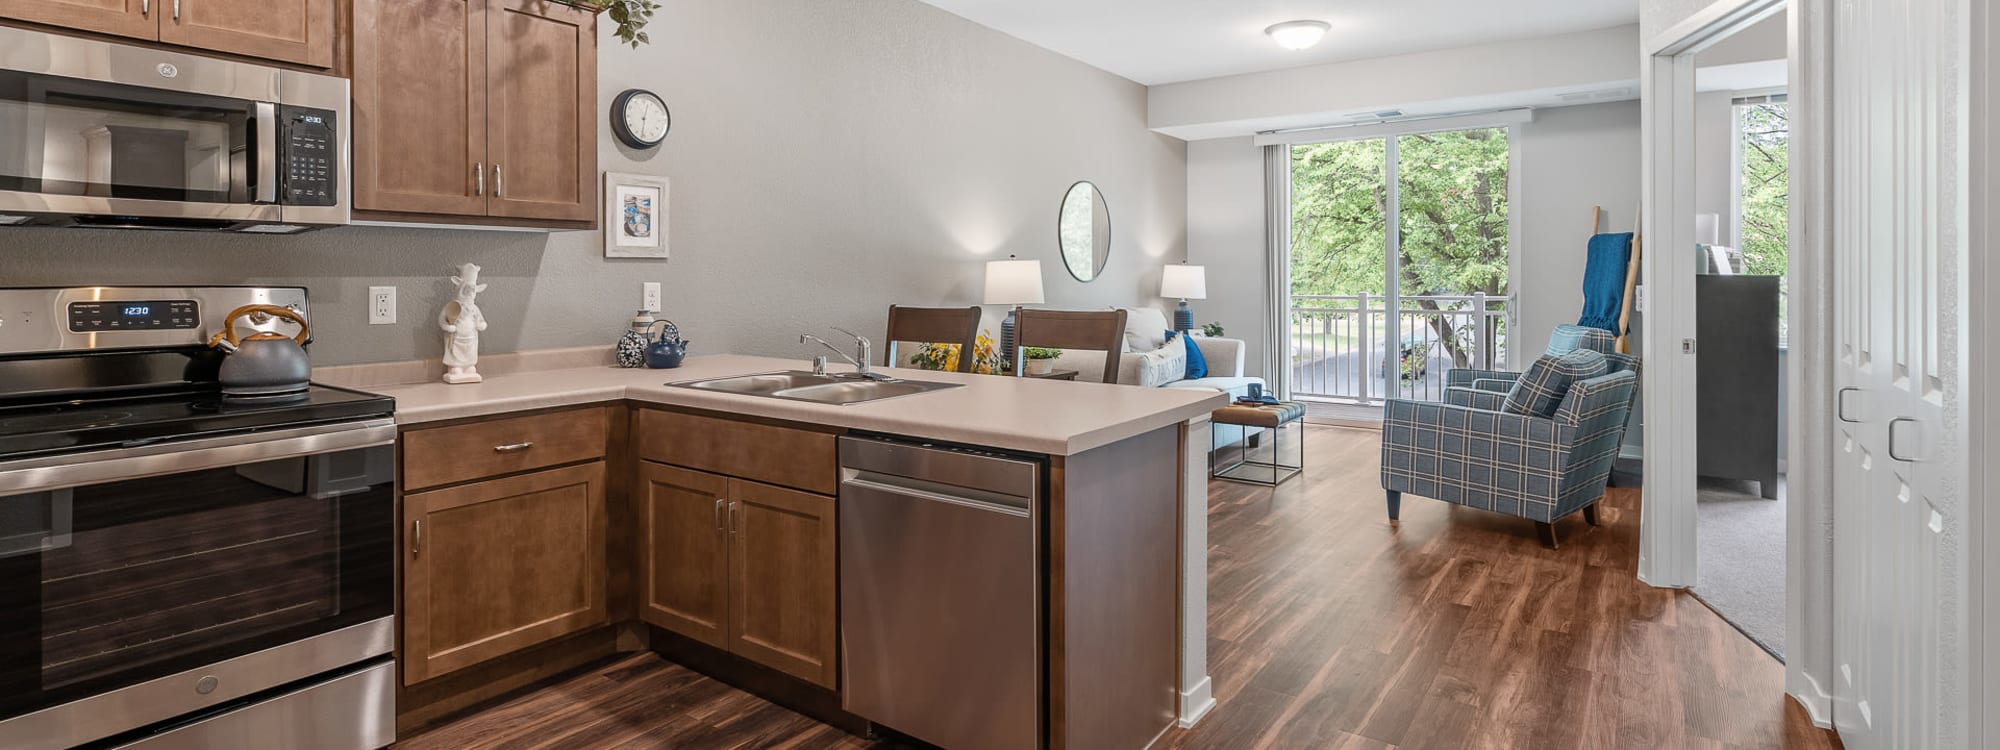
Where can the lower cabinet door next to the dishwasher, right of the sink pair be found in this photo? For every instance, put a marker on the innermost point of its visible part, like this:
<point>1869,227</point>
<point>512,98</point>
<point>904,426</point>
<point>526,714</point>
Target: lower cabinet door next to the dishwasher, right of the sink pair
<point>783,581</point>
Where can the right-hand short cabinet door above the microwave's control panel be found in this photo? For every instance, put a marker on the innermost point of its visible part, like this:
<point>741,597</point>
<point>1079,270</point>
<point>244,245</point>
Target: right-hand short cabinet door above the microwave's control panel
<point>291,31</point>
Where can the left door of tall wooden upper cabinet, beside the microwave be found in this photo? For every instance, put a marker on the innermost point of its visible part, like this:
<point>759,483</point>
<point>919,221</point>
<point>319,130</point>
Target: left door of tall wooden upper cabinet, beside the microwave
<point>421,107</point>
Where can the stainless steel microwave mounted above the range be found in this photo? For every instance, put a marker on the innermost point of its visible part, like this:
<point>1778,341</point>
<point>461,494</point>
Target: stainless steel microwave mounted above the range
<point>113,135</point>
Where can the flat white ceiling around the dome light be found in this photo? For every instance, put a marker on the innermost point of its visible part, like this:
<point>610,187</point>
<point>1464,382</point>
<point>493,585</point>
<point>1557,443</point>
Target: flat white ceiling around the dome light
<point>1173,41</point>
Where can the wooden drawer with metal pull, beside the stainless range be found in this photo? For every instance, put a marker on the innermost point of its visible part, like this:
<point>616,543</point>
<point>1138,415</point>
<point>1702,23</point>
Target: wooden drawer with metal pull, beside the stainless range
<point>499,447</point>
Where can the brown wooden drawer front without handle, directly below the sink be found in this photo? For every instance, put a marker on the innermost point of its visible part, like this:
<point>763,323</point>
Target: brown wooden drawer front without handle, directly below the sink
<point>763,453</point>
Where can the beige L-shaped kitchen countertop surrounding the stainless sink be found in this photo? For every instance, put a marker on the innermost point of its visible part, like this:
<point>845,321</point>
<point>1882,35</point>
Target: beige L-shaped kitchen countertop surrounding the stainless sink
<point>1047,417</point>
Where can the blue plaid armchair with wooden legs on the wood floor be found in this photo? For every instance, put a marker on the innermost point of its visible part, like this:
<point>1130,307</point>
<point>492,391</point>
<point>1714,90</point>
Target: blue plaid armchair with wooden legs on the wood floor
<point>1471,453</point>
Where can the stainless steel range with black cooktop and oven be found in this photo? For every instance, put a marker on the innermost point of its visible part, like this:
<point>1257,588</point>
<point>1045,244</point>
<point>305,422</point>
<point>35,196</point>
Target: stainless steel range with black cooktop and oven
<point>179,569</point>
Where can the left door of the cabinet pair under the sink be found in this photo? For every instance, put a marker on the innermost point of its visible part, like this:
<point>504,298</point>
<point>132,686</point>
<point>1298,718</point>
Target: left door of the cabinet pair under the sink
<point>685,525</point>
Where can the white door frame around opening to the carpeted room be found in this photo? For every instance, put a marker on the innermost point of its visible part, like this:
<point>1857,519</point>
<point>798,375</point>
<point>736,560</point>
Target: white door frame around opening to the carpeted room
<point>1669,511</point>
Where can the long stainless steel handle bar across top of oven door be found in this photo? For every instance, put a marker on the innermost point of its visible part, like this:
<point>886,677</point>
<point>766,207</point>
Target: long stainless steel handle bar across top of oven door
<point>159,459</point>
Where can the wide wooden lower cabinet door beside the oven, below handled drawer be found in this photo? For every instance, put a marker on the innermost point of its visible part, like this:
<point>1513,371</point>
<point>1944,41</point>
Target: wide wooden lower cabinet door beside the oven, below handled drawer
<point>499,567</point>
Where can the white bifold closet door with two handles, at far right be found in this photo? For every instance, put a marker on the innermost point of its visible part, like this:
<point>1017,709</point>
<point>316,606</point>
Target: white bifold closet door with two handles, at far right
<point>1899,207</point>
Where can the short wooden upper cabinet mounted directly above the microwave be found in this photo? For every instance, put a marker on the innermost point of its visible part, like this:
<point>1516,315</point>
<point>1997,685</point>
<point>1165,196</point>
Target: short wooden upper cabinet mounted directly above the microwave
<point>289,31</point>
